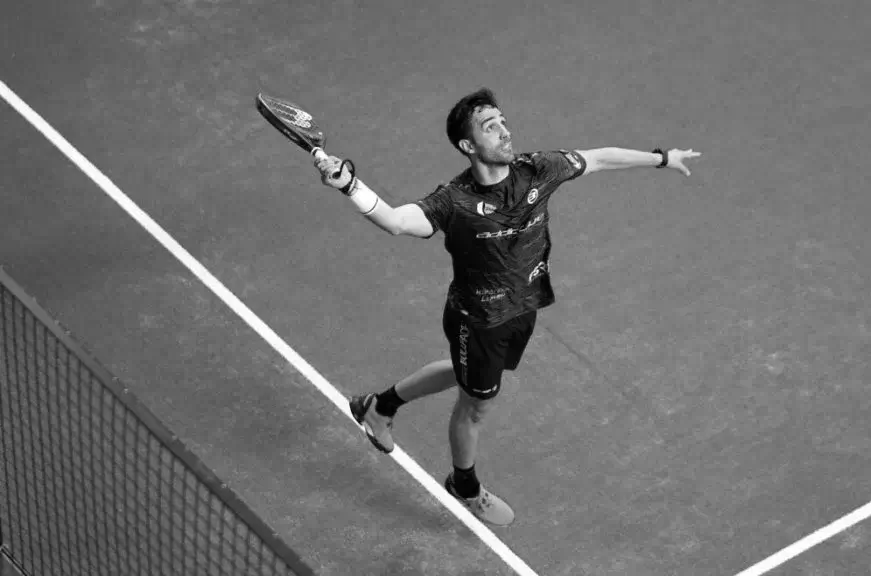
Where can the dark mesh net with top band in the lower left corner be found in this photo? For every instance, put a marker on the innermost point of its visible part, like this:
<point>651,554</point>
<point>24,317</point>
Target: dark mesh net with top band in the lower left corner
<point>92,483</point>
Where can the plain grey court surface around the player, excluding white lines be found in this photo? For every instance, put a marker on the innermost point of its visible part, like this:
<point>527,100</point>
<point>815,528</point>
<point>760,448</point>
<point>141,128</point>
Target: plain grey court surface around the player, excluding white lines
<point>695,402</point>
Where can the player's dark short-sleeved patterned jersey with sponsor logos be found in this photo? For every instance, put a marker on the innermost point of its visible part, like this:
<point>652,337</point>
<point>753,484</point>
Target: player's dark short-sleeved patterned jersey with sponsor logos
<point>498,235</point>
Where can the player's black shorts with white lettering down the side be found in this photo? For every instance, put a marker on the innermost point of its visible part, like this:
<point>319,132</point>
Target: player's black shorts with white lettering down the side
<point>479,355</point>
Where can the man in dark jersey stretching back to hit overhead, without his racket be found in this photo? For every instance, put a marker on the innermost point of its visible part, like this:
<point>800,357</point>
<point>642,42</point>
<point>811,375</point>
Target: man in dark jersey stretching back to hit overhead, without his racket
<point>495,221</point>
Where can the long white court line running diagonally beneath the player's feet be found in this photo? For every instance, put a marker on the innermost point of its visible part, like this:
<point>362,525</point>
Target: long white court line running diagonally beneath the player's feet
<point>258,325</point>
